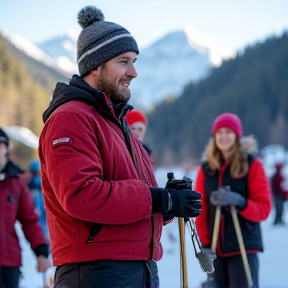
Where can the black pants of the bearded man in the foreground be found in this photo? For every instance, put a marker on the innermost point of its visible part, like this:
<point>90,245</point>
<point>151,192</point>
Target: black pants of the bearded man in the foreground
<point>107,274</point>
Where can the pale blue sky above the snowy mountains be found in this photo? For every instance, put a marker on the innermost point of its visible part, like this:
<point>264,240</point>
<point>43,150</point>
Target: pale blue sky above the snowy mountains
<point>235,23</point>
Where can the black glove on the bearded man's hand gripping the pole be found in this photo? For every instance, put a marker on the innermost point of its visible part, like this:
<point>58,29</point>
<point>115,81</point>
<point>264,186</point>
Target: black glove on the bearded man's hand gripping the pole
<point>179,203</point>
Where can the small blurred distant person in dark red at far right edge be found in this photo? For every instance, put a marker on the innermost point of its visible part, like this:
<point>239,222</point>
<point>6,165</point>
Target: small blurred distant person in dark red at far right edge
<point>279,193</point>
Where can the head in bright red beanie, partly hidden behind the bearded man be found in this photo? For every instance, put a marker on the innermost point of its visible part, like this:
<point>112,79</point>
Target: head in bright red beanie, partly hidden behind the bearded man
<point>137,123</point>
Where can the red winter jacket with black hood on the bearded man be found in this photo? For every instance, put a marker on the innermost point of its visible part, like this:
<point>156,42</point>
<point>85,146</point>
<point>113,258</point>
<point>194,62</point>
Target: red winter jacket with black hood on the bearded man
<point>92,174</point>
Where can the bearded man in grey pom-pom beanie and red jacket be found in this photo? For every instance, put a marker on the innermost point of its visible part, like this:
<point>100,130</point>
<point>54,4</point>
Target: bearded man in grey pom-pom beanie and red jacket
<point>105,213</point>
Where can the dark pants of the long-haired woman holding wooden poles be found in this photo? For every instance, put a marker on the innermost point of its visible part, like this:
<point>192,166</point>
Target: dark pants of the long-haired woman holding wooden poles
<point>230,273</point>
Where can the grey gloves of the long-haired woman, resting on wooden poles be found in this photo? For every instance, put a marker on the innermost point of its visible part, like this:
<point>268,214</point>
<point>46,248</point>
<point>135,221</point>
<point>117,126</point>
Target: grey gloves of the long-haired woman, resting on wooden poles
<point>224,197</point>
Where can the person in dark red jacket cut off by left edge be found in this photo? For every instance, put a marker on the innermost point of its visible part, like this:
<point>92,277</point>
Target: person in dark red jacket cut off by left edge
<point>16,203</point>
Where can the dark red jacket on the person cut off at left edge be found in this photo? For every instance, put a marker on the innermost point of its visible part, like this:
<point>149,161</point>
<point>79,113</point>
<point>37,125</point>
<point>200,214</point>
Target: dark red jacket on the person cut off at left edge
<point>16,203</point>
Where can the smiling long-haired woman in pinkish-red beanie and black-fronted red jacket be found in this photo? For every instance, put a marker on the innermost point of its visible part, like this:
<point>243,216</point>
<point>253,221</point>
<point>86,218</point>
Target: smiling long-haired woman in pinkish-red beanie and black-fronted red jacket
<point>231,175</point>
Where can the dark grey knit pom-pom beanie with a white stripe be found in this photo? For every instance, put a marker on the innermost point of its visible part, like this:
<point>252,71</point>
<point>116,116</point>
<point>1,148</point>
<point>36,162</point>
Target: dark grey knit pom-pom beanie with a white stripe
<point>100,41</point>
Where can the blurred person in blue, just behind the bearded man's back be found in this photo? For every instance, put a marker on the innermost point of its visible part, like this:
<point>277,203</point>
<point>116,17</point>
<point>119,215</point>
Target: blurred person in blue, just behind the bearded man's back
<point>35,187</point>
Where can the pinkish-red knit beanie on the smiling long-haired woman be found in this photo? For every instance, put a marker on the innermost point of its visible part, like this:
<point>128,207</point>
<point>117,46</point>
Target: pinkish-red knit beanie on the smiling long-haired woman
<point>228,120</point>
